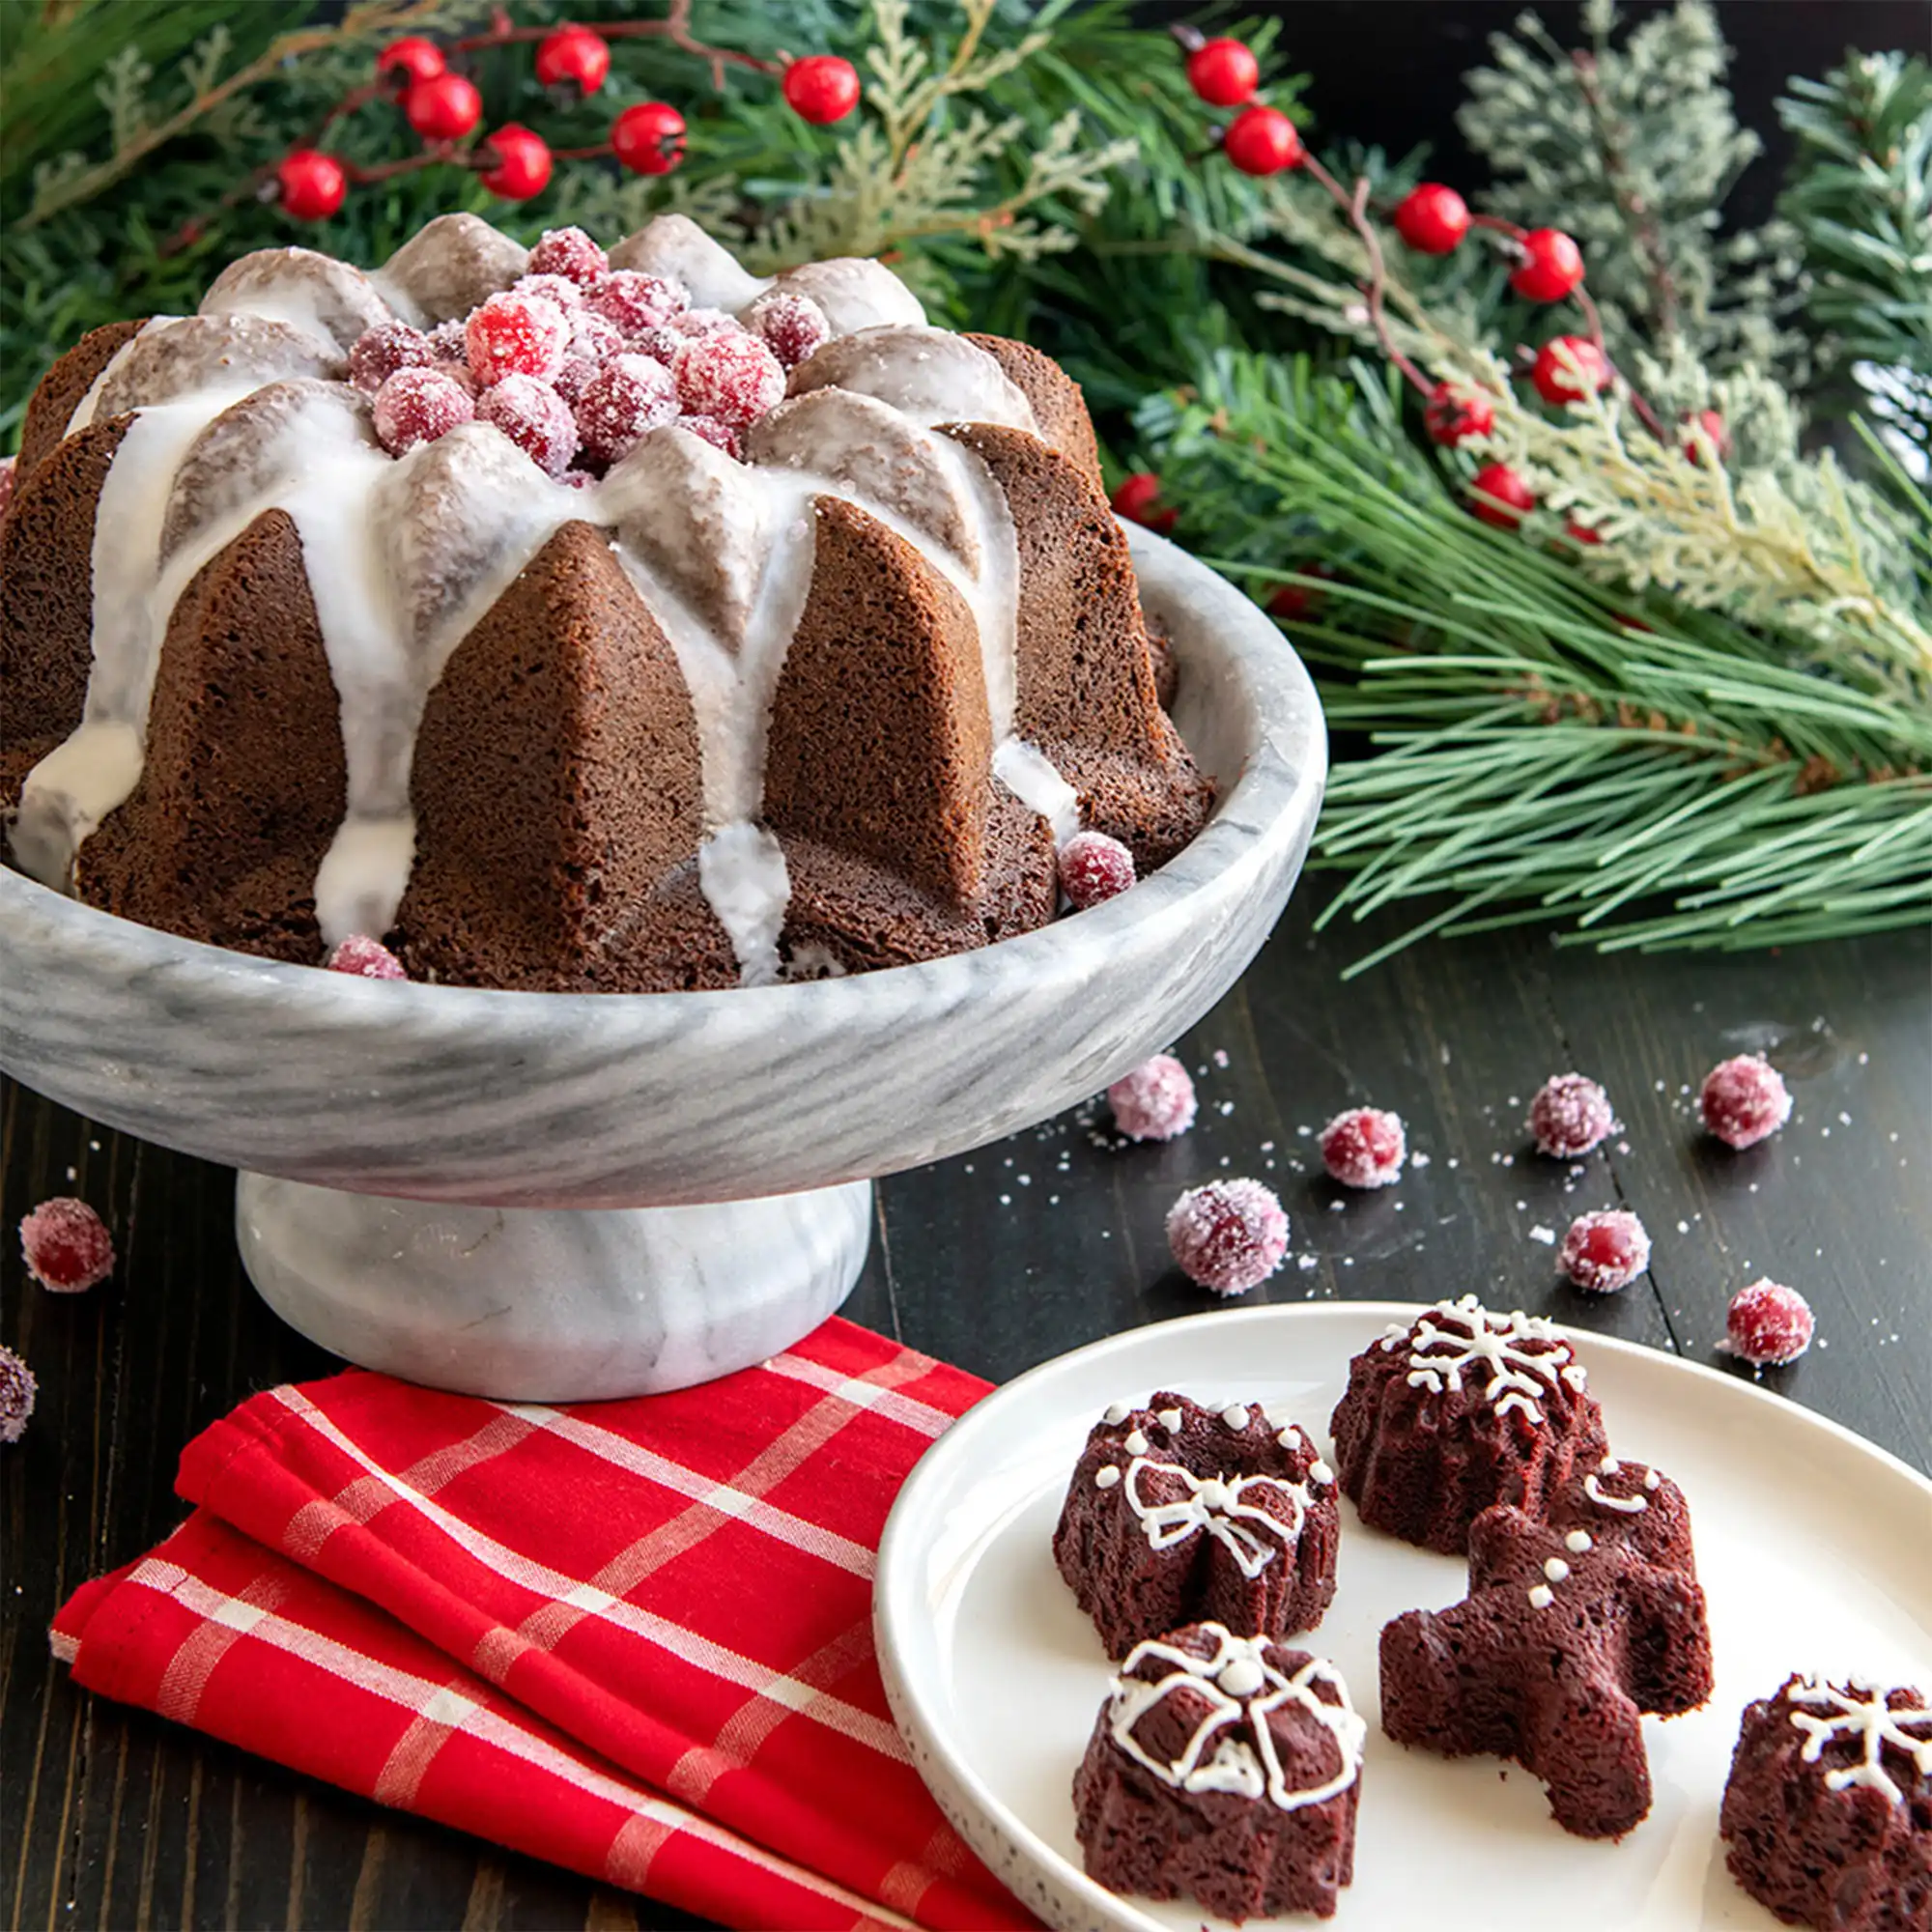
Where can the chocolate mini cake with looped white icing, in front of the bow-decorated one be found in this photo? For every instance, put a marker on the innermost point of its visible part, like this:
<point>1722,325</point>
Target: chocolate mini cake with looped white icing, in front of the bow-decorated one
<point>1224,1771</point>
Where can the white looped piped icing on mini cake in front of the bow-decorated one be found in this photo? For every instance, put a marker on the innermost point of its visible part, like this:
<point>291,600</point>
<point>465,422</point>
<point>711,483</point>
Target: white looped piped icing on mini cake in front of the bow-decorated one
<point>1241,1690</point>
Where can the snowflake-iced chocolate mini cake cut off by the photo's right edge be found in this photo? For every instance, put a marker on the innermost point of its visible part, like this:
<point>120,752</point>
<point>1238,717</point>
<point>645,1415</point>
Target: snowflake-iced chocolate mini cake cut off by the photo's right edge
<point>1829,1809</point>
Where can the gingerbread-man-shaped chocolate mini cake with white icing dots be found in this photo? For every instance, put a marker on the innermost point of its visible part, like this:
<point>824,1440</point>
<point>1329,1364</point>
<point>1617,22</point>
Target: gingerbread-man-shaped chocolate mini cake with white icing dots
<point>1572,1630</point>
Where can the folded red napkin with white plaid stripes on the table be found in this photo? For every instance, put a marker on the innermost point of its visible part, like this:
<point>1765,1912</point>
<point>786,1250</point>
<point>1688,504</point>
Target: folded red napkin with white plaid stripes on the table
<point>627,1637</point>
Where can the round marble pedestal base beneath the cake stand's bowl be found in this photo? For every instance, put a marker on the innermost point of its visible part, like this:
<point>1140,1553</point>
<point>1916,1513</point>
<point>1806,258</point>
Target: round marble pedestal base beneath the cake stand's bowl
<point>538,1305</point>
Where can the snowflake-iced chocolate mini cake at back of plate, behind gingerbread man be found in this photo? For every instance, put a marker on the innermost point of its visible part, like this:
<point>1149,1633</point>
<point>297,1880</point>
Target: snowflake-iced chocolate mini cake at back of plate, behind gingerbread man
<point>1460,1411</point>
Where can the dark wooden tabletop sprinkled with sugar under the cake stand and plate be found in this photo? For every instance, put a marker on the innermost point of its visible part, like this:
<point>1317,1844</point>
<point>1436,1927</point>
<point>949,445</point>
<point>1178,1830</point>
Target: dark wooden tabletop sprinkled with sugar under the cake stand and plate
<point>996,1261</point>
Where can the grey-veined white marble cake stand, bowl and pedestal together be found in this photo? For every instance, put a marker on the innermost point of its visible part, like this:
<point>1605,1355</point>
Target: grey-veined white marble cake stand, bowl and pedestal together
<point>546,1197</point>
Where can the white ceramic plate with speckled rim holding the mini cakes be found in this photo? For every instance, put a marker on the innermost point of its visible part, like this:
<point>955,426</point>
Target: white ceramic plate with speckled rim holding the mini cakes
<point>1813,1547</point>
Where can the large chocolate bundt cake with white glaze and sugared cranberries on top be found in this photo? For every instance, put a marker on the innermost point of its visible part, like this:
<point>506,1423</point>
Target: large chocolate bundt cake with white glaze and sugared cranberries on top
<point>571,621</point>
